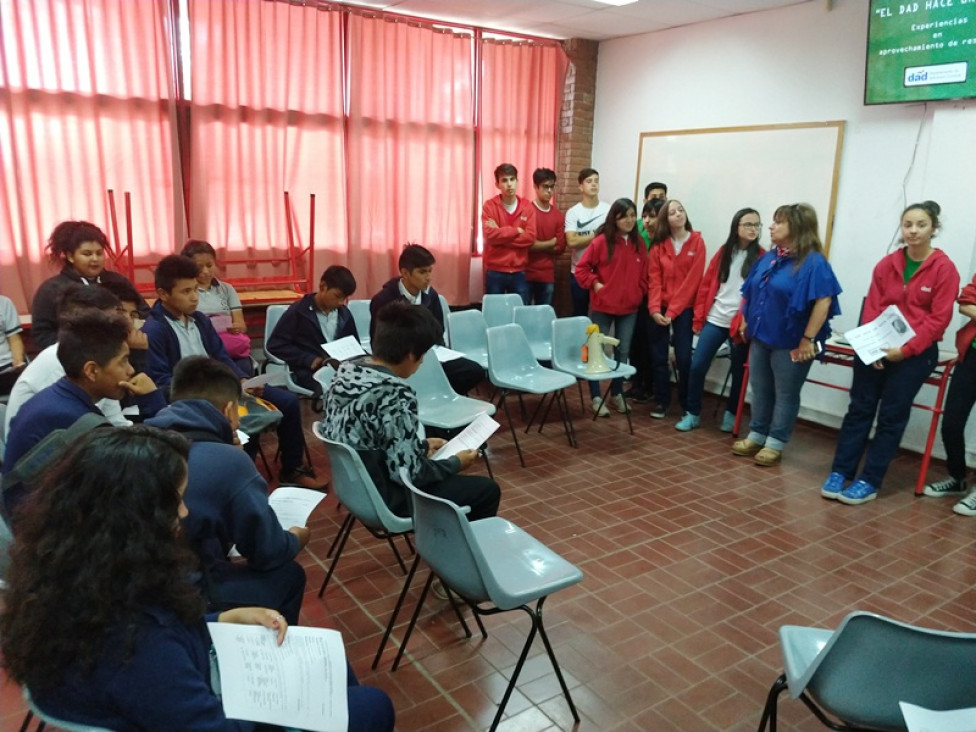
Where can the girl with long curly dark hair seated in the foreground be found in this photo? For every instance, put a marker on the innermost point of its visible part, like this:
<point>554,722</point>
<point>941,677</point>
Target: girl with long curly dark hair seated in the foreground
<point>100,621</point>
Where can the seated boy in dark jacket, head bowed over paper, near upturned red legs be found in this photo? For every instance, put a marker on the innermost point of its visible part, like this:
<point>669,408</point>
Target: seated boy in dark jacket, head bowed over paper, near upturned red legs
<point>319,317</point>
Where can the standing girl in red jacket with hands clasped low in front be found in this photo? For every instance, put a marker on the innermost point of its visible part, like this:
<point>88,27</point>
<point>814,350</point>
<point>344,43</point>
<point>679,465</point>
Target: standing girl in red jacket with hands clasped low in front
<point>674,273</point>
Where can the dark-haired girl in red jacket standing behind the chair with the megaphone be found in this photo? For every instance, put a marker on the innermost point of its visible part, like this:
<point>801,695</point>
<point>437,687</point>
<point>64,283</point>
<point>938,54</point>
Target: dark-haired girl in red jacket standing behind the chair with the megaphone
<point>614,269</point>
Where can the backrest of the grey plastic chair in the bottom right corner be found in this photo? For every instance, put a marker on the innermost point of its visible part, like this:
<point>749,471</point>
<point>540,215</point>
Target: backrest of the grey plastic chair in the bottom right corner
<point>871,663</point>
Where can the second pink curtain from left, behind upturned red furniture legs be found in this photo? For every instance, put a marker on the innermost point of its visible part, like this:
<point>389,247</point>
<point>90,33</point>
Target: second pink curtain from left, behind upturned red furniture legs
<point>266,117</point>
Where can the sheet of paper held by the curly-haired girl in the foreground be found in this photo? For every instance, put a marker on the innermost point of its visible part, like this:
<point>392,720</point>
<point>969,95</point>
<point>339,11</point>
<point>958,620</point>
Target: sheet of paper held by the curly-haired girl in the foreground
<point>300,684</point>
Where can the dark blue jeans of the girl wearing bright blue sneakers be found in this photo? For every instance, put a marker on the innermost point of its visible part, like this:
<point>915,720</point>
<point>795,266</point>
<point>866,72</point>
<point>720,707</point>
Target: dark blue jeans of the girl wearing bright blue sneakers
<point>889,393</point>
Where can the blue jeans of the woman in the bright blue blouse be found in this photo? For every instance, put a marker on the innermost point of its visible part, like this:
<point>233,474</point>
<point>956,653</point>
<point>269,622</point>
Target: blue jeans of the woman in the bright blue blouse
<point>776,383</point>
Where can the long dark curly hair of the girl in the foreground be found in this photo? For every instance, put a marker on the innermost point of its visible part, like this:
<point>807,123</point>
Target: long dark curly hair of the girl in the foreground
<point>97,544</point>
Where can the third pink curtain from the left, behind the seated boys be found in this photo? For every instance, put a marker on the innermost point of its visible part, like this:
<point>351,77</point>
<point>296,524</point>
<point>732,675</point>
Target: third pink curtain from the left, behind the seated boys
<point>410,150</point>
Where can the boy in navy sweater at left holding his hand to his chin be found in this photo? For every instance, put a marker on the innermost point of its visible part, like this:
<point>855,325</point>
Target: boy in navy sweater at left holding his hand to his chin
<point>92,349</point>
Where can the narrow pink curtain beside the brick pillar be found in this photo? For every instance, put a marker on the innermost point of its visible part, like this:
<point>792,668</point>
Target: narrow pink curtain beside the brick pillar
<point>521,96</point>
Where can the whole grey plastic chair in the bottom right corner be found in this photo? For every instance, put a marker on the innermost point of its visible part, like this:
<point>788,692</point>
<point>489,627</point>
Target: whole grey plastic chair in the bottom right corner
<point>861,671</point>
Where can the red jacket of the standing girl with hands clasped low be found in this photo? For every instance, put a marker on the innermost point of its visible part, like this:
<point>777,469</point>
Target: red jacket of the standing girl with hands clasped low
<point>673,279</point>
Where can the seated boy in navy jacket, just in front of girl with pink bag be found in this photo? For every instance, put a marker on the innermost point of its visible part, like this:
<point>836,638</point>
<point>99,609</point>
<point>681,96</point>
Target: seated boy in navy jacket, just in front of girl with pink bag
<point>176,330</point>
